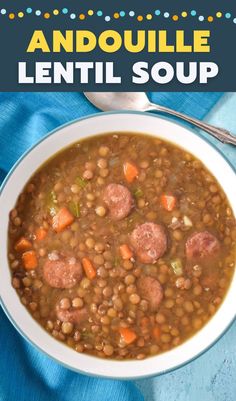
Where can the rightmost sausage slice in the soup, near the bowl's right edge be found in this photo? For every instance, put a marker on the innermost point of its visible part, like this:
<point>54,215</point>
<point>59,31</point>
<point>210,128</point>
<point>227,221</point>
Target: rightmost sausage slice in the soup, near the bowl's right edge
<point>201,245</point>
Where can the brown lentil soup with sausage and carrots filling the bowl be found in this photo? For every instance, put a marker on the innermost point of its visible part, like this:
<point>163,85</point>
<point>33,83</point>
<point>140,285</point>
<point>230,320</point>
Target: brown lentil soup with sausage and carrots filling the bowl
<point>122,246</point>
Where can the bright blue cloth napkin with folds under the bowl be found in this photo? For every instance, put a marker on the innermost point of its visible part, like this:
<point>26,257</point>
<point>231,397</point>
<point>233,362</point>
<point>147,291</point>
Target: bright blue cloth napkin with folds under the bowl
<point>25,373</point>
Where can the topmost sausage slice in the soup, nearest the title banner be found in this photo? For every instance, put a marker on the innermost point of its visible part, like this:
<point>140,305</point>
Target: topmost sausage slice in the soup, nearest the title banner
<point>118,200</point>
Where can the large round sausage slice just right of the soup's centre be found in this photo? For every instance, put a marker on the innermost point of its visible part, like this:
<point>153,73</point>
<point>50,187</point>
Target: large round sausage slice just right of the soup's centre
<point>149,241</point>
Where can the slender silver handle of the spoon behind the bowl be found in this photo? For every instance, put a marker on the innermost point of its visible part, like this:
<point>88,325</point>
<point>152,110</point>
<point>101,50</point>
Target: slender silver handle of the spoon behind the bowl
<point>220,133</point>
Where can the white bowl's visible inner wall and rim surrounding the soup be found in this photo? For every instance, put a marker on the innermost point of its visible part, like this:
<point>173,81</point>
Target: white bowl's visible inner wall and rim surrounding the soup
<point>13,185</point>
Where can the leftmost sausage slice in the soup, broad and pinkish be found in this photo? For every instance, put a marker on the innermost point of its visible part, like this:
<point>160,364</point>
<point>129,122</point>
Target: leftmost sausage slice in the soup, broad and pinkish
<point>62,273</point>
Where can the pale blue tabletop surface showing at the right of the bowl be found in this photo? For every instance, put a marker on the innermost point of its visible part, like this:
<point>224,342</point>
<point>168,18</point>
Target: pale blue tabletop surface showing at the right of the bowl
<point>211,377</point>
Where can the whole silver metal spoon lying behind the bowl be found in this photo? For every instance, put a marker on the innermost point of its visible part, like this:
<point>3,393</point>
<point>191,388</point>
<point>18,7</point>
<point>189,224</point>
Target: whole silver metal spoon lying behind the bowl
<point>107,101</point>
